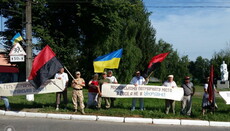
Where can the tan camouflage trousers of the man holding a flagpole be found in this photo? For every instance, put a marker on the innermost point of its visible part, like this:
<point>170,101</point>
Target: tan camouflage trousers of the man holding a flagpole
<point>77,96</point>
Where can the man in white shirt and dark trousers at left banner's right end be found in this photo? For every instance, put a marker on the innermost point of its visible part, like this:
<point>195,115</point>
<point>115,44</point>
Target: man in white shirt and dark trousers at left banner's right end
<point>64,77</point>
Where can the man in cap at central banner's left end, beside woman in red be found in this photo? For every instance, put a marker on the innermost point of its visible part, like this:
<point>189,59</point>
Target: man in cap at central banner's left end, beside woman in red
<point>102,81</point>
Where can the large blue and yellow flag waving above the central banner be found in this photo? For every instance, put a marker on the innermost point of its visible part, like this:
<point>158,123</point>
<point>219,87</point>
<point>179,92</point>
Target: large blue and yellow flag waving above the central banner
<point>110,61</point>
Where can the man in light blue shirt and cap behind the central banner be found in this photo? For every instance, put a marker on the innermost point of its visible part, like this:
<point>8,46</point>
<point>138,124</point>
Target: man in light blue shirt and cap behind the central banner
<point>138,80</point>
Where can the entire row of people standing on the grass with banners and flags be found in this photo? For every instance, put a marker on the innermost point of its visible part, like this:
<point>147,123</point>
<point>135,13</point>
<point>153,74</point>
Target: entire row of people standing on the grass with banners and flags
<point>95,93</point>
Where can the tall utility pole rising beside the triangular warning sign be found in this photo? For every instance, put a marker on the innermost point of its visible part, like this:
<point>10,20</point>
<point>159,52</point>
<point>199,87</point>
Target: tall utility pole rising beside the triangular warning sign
<point>28,37</point>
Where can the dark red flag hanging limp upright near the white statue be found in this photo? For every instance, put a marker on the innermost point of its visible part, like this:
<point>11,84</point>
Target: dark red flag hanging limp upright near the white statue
<point>210,85</point>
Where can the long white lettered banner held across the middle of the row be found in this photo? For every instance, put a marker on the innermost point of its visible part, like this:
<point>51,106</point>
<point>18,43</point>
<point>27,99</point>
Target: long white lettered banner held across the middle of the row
<point>141,91</point>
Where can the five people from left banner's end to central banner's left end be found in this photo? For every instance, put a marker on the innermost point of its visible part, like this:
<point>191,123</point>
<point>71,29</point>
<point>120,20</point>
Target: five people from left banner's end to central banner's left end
<point>94,90</point>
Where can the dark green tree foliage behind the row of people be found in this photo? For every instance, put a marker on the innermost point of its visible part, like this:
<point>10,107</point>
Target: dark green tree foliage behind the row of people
<point>80,31</point>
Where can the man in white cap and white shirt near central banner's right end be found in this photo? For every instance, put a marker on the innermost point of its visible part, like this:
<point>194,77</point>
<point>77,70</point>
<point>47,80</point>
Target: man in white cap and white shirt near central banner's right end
<point>170,103</point>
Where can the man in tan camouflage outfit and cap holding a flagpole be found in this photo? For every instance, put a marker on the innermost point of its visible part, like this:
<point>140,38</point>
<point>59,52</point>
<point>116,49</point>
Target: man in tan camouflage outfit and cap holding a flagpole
<point>78,83</point>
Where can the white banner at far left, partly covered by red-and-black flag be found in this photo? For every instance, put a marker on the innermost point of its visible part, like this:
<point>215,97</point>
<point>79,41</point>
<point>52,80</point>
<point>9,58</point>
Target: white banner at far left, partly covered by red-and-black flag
<point>24,88</point>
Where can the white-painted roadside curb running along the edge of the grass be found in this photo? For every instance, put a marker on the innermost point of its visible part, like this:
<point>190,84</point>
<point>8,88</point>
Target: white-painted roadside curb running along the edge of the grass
<point>116,119</point>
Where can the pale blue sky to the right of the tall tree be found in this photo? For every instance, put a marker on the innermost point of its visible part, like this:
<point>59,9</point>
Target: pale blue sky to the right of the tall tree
<point>194,27</point>
